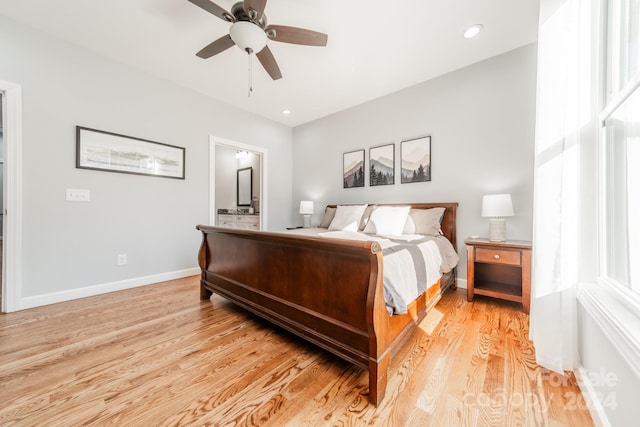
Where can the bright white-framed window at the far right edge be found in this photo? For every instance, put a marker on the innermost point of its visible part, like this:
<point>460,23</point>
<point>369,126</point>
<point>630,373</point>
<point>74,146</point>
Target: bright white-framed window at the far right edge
<point>620,167</point>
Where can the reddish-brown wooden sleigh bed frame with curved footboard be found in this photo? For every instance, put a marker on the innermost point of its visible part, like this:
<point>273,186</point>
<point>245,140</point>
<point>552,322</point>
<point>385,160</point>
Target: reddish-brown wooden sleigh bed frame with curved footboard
<point>327,291</point>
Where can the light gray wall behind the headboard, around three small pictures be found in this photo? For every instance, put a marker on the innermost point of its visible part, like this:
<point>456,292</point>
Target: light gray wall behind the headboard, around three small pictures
<point>481,120</point>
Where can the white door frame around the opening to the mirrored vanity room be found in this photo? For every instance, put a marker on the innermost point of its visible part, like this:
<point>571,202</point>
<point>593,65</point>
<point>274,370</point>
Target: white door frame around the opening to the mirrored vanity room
<point>223,142</point>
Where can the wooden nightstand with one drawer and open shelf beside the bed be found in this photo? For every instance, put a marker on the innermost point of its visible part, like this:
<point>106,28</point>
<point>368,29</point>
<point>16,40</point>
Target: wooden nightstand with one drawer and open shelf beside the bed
<point>499,270</point>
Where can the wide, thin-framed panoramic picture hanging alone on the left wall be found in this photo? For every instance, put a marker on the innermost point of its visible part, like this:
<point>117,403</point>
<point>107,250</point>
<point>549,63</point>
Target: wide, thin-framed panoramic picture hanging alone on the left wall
<point>107,151</point>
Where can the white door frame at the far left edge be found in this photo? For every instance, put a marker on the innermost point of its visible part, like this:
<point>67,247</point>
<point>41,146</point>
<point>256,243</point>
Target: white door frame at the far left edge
<point>12,194</point>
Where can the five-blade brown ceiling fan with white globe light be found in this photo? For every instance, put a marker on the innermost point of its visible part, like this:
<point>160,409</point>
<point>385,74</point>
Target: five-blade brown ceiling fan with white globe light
<point>249,31</point>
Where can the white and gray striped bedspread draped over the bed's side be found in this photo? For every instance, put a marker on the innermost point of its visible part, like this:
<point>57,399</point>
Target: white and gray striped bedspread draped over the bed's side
<point>411,262</point>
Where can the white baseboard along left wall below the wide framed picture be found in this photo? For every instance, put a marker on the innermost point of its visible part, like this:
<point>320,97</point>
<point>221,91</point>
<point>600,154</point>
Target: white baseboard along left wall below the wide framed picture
<point>89,291</point>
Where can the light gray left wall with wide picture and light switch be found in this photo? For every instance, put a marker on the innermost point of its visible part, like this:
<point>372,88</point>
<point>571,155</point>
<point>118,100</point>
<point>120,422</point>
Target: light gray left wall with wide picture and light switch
<point>68,245</point>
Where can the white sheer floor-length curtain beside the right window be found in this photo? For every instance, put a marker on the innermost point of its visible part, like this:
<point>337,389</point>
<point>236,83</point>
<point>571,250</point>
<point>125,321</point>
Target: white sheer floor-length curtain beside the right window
<point>564,111</point>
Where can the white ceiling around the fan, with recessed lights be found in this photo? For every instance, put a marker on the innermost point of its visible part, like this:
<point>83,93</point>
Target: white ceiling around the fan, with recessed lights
<point>374,48</point>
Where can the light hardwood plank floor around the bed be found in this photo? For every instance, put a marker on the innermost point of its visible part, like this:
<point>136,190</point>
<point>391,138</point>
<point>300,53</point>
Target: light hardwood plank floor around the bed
<point>156,355</point>
